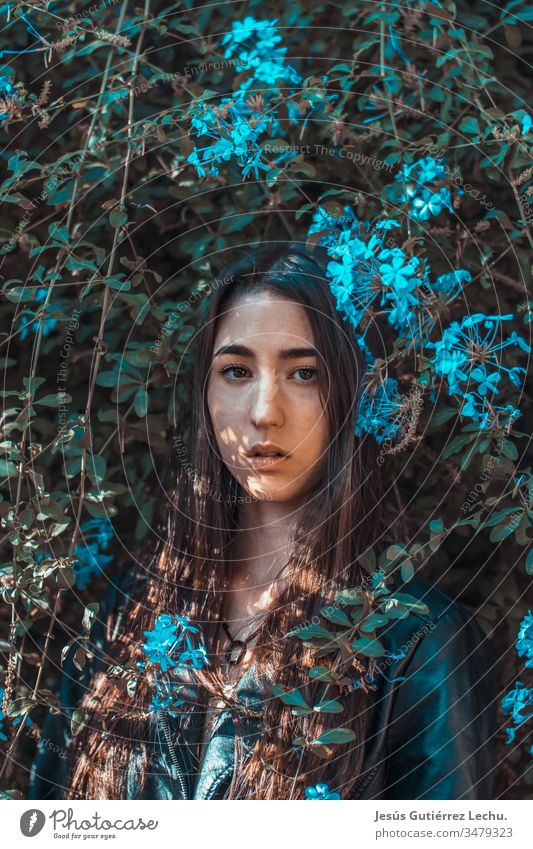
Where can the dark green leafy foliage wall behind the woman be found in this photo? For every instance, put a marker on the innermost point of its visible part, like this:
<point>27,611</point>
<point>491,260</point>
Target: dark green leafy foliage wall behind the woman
<point>109,237</point>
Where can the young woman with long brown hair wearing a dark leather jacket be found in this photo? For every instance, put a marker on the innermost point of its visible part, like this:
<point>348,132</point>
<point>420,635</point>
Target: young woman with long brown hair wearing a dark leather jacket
<point>267,505</point>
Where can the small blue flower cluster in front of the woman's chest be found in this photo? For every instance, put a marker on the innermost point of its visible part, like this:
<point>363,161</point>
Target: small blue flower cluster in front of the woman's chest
<point>169,646</point>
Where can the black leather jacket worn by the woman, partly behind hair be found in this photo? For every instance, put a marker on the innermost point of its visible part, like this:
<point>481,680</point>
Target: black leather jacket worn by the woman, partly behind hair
<point>432,721</point>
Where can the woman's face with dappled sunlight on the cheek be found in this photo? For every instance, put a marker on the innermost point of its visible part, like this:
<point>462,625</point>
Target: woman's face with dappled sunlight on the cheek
<point>263,388</point>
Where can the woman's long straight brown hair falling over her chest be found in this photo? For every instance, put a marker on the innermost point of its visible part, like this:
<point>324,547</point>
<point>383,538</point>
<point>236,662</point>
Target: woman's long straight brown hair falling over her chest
<point>188,573</point>
